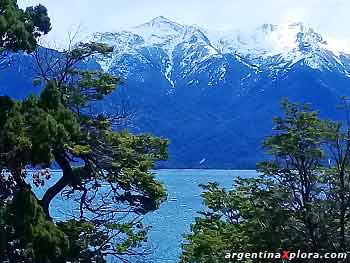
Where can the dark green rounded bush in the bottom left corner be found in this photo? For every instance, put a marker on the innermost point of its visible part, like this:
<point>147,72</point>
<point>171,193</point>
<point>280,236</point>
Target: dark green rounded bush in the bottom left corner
<point>29,235</point>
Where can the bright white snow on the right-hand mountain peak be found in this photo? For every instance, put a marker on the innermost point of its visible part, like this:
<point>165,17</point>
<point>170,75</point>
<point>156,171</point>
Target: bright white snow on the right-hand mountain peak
<point>287,43</point>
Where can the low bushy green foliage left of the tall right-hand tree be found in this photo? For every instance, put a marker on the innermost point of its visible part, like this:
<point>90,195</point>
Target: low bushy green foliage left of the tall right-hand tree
<point>249,218</point>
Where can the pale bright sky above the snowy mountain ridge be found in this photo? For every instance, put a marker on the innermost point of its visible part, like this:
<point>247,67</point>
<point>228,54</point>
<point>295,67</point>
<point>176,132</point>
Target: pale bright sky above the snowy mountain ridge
<point>328,17</point>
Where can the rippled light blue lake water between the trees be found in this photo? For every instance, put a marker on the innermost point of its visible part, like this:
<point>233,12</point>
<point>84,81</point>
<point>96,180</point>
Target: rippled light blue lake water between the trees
<point>175,216</point>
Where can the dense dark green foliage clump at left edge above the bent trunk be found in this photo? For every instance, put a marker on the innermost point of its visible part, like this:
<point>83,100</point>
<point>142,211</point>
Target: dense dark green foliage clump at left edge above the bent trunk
<point>32,127</point>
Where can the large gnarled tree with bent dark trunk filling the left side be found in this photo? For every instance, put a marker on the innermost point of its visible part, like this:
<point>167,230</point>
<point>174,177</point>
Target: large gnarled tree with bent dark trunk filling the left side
<point>107,171</point>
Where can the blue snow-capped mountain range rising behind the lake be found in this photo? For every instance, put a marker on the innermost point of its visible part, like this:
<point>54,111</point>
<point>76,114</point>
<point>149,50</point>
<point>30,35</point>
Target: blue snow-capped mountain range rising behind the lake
<point>214,93</point>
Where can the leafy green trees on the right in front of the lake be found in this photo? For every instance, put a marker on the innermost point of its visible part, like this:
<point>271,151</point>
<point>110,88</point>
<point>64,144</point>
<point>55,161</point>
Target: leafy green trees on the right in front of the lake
<point>299,199</point>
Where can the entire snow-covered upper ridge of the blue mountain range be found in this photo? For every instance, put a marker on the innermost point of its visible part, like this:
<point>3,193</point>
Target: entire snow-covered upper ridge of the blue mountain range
<point>273,46</point>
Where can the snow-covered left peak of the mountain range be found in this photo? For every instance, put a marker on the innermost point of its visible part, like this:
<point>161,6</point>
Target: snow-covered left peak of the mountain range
<point>159,42</point>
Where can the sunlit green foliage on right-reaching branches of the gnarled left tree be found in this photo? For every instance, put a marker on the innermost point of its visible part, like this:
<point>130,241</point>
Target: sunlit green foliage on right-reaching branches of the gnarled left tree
<point>135,158</point>
